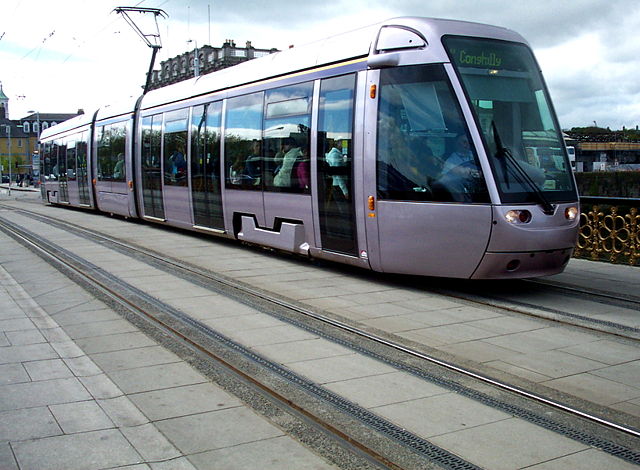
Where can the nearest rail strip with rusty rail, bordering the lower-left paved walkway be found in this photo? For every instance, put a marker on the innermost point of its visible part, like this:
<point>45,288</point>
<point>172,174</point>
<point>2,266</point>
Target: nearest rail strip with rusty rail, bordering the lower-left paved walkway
<point>181,327</point>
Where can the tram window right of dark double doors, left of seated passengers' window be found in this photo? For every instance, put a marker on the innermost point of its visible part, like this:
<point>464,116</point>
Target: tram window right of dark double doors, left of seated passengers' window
<point>242,137</point>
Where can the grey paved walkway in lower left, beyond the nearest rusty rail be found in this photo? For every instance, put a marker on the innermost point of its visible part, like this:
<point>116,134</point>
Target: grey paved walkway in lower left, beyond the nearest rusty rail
<point>60,410</point>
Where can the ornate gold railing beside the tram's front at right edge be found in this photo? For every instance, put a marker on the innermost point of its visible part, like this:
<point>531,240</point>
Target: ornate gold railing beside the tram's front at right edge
<point>609,230</point>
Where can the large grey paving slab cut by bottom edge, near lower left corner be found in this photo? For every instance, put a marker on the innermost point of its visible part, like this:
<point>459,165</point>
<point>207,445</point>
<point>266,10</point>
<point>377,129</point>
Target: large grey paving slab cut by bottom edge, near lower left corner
<point>84,451</point>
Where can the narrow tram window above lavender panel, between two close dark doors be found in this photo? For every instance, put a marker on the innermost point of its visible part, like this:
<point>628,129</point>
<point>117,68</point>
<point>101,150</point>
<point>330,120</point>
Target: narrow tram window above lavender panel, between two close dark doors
<point>175,146</point>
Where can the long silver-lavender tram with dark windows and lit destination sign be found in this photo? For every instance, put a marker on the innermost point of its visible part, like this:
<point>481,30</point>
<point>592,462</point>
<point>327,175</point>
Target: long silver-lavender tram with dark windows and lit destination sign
<point>416,146</point>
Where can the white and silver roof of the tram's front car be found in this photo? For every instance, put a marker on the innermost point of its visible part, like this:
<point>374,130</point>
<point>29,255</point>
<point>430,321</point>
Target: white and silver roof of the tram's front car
<point>334,49</point>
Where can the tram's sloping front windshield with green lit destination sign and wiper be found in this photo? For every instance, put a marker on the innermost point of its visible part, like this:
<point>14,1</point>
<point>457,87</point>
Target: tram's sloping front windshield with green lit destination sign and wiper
<point>514,112</point>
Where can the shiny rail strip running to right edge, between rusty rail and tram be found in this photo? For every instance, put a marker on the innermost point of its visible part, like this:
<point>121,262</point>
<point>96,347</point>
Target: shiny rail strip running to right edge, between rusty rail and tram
<point>205,277</point>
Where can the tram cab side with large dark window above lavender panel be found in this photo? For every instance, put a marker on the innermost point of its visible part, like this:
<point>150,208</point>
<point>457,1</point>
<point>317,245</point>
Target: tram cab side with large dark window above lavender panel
<point>419,219</point>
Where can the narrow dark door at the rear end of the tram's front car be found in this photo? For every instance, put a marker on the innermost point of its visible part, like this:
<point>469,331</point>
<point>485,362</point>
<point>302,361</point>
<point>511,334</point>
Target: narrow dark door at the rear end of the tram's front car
<point>151,166</point>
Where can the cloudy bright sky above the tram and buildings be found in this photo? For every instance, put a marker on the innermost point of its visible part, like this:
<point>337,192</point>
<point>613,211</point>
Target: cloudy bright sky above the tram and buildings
<point>59,56</point>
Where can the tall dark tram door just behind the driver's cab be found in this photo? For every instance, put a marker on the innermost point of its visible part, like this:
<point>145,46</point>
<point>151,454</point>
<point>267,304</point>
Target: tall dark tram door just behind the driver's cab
<point>335,165</point>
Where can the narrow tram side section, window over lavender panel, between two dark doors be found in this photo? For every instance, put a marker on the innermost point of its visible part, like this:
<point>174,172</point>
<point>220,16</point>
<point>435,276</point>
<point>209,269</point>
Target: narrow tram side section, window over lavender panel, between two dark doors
<point>177,204</point>
